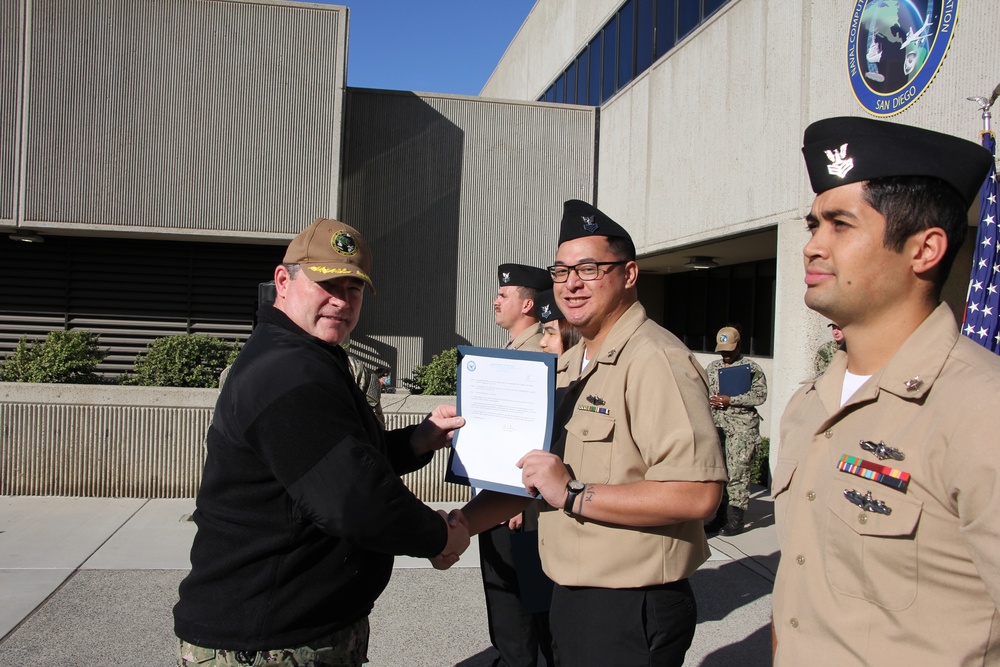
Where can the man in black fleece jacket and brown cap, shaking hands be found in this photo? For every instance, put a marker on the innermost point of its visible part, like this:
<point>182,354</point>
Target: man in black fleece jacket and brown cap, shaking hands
<point>301,508</point>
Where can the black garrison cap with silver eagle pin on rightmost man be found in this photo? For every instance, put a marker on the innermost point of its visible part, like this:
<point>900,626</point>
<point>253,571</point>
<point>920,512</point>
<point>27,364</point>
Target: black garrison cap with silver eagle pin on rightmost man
<point>850,149</point>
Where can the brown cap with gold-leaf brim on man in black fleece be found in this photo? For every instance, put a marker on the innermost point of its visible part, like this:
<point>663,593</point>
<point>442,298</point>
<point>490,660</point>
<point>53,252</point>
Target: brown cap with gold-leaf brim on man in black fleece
<point>329,249</point>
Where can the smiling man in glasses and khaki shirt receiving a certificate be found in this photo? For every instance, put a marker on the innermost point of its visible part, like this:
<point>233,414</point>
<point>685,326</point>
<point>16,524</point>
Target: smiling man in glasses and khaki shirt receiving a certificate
<point>635,466</point>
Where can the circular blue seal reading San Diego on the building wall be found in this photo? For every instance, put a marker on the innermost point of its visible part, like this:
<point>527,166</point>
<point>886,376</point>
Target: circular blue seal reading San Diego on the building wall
<point>895,48</point>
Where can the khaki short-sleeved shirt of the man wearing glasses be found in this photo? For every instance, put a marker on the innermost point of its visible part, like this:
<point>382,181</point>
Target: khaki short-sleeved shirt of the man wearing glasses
<point>655,426</point>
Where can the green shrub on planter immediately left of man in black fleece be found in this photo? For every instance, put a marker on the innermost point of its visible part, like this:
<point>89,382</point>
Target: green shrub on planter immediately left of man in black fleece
<point>188,360</point>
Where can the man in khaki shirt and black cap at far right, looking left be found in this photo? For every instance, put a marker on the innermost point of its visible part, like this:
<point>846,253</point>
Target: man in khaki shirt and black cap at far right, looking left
<point>886,492</point>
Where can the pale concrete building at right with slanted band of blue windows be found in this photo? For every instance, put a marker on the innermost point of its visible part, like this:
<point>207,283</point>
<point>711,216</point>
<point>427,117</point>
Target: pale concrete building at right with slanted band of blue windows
<point>699,144</point>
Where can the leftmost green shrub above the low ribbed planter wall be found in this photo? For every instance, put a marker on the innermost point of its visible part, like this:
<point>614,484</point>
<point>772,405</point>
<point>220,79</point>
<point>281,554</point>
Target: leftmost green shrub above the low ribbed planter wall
<point>61,357</point>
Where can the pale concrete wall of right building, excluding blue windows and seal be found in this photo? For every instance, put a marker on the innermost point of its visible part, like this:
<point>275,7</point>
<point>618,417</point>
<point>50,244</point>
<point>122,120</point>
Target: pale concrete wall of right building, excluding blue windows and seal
<point>705,144</point>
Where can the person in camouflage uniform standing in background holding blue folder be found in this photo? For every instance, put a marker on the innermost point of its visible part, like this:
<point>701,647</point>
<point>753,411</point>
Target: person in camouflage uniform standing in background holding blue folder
<point>738,422</point>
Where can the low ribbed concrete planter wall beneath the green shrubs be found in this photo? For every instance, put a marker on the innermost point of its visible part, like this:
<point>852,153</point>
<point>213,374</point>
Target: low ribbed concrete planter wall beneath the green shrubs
<point>142,442</point>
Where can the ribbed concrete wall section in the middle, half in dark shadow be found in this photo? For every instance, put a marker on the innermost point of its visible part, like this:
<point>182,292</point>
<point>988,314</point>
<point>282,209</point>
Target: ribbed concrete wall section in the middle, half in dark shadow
<point>445,188</point>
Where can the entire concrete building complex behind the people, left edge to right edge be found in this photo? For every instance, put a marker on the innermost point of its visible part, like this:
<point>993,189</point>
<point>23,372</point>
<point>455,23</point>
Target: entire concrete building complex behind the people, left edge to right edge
<point>167,151</point>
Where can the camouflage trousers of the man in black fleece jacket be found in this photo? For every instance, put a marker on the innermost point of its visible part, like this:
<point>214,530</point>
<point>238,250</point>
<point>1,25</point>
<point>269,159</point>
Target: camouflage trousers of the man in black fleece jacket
<point>348,647</point>
